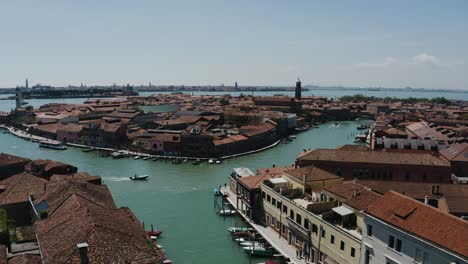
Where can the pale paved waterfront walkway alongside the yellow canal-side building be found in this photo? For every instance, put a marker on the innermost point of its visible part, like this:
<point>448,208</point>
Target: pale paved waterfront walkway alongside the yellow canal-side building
<point>281,245</point>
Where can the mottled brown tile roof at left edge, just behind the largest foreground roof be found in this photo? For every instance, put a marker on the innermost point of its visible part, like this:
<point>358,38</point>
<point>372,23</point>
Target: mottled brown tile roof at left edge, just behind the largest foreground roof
<point>19,186</point>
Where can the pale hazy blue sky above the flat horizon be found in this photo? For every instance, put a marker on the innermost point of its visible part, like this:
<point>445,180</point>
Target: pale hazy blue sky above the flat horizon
<point>373,43</point>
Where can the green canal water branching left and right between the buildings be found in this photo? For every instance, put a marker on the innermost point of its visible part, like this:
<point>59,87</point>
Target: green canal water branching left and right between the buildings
<point>178,199</point>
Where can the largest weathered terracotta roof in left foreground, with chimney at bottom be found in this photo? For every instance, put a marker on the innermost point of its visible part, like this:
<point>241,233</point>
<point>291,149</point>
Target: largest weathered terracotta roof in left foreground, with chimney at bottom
<point>113,235</point>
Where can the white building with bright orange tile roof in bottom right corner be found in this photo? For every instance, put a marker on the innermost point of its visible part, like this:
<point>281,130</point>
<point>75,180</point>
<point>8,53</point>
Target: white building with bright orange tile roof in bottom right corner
<point>398,229</point>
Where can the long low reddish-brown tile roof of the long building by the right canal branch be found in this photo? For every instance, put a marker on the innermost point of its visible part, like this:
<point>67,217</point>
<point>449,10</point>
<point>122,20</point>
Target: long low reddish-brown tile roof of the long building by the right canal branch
<point>378,157</point>
